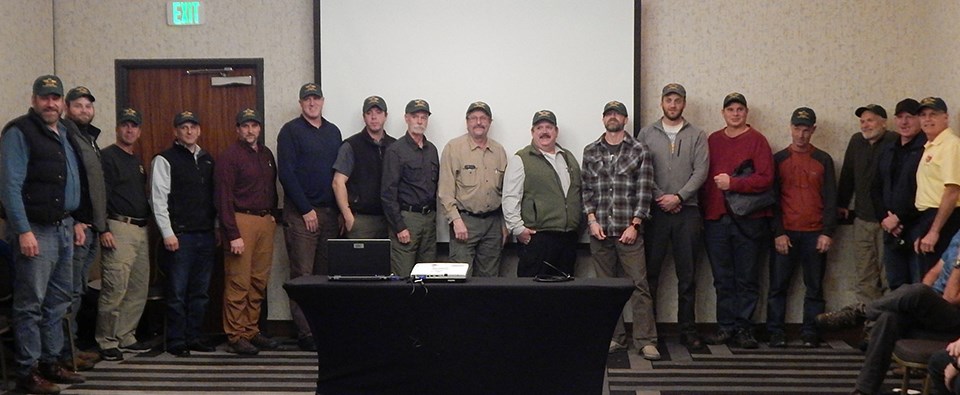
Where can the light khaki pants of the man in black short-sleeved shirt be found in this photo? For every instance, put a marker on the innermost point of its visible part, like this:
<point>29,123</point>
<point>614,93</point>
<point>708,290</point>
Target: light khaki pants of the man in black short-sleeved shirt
<point>125,273</point>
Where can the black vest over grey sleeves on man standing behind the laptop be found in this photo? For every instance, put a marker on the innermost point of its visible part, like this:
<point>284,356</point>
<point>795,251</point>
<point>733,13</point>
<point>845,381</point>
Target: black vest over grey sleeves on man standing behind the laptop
<point>363,186</point>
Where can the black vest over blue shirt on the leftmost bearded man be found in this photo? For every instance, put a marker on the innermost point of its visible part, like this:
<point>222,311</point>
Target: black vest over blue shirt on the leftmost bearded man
<point>44,187</point>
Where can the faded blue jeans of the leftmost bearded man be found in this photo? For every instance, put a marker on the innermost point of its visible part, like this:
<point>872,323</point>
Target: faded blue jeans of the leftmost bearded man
<point>42,288</point>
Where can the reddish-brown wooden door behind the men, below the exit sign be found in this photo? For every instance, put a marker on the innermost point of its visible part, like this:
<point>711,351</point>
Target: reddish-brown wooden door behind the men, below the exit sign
<point>160,89</point>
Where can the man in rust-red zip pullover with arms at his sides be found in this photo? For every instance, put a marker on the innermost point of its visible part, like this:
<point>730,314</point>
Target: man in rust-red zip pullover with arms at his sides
<point>803,225</point>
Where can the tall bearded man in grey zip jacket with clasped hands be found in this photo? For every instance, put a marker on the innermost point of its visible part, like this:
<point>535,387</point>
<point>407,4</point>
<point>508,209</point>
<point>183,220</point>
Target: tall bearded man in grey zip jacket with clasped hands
<point>680,164</point>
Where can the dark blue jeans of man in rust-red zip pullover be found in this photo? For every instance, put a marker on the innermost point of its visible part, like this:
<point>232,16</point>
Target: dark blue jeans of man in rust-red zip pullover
<point>803,252</point>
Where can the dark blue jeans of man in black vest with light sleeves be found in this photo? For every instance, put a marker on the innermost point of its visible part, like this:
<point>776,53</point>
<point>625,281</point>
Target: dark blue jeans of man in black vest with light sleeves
<point>188,279</point>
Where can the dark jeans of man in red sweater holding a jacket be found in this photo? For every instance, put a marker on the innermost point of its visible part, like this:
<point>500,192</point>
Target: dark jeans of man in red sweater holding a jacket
<point>735,260</point>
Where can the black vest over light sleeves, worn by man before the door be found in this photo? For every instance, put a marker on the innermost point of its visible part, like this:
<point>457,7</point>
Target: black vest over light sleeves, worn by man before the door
<point>190,202</point>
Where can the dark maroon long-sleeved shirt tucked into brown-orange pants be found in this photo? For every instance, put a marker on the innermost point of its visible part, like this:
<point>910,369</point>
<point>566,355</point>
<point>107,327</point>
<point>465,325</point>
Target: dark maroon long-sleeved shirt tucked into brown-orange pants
<point>245,180</point>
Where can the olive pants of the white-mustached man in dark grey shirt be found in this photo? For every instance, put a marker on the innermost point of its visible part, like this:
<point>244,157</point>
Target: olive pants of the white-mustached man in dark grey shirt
<point>422,246</point>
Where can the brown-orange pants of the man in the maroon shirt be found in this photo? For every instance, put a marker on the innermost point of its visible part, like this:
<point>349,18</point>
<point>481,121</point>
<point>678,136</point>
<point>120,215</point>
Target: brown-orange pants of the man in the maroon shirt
<point>246,276</point>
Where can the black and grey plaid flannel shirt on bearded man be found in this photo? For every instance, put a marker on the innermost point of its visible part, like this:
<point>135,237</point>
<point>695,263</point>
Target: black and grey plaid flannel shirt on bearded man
<point>617,186</point>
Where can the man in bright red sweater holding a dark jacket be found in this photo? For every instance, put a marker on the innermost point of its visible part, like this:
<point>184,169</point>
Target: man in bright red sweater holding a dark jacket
<point>733,243</point>
